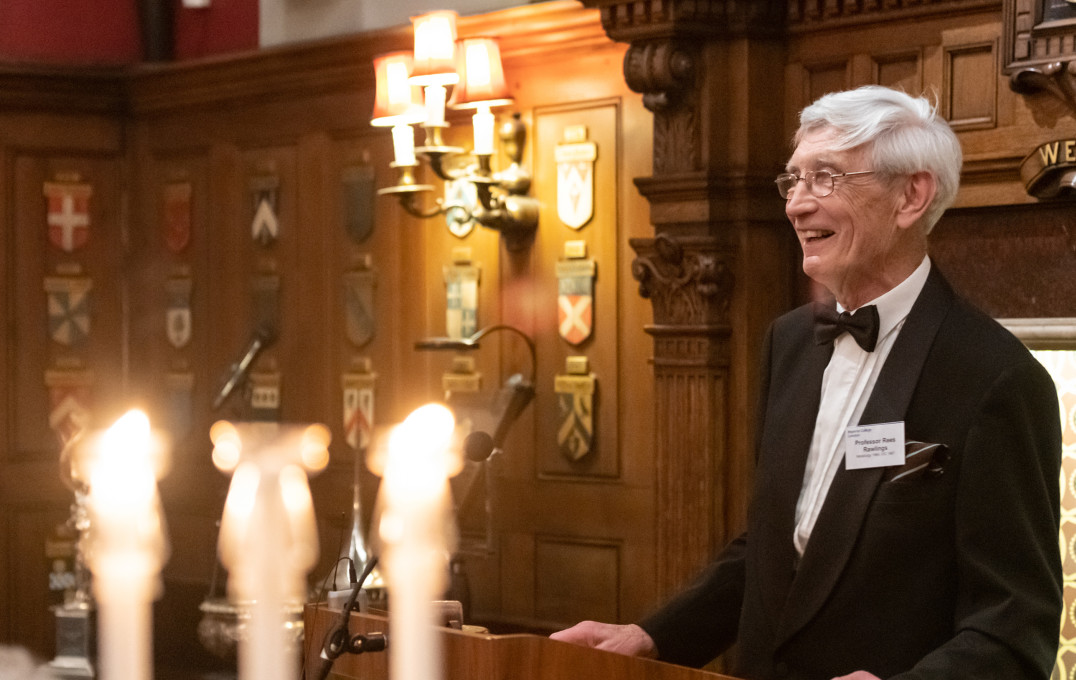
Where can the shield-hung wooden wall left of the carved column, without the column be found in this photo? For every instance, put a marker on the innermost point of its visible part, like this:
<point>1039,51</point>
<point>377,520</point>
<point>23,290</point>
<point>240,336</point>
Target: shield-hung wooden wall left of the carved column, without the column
<point>574,539</point>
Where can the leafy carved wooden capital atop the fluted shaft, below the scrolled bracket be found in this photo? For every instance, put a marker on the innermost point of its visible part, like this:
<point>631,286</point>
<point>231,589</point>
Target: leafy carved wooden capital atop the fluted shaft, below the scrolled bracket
<point>689,281</point>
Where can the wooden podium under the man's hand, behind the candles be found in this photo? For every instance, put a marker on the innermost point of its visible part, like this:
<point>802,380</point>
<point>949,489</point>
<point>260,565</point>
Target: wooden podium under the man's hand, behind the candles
<point>480,657</point>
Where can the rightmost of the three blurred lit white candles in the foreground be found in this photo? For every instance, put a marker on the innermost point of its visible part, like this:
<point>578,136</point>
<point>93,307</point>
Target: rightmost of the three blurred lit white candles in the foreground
<point>415,488</point>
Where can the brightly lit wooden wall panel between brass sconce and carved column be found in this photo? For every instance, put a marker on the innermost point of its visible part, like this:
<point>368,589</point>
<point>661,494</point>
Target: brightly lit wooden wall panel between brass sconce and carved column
<point>542,498</point>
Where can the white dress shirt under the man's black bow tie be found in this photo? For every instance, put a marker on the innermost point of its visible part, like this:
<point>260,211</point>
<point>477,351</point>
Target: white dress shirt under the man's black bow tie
<point>847,385</point>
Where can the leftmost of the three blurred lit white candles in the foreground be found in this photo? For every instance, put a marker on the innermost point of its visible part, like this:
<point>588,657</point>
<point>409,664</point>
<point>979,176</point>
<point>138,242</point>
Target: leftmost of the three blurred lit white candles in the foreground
<point>128,544</point>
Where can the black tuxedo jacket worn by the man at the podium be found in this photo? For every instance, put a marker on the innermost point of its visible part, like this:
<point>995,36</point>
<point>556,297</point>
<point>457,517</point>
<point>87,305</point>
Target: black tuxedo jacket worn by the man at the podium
<point>950,572</point>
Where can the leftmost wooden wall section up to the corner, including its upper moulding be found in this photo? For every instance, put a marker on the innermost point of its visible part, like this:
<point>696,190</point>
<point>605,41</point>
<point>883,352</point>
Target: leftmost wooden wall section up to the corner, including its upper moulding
<point>41,125</point>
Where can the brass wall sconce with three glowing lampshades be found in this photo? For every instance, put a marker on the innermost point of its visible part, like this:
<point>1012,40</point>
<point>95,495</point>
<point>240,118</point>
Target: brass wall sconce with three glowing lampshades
<point>413,89</point>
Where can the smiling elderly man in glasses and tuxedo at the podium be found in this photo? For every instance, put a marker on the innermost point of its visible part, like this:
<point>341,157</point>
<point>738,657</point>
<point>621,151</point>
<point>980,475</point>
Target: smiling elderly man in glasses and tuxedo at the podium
<point>905,509</point>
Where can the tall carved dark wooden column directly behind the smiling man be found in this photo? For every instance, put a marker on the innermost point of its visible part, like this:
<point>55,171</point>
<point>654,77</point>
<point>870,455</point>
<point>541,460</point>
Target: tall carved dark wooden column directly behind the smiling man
<point>719,266</point>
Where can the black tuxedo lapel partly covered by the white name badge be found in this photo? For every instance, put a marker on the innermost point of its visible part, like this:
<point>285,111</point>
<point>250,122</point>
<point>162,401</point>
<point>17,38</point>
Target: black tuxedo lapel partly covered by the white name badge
<point>846,505</point>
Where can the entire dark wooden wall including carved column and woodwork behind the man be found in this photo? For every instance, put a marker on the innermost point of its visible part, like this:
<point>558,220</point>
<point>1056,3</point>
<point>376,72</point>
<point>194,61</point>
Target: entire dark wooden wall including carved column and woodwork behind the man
<point>691,106</point>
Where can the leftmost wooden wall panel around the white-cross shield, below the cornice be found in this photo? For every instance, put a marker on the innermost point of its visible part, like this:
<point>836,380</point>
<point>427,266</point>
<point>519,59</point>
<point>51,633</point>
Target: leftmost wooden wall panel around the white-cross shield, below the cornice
<point>32,447</point>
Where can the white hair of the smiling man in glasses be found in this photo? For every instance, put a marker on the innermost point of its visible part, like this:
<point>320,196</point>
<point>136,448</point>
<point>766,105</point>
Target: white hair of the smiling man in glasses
<point>902,134</point>
